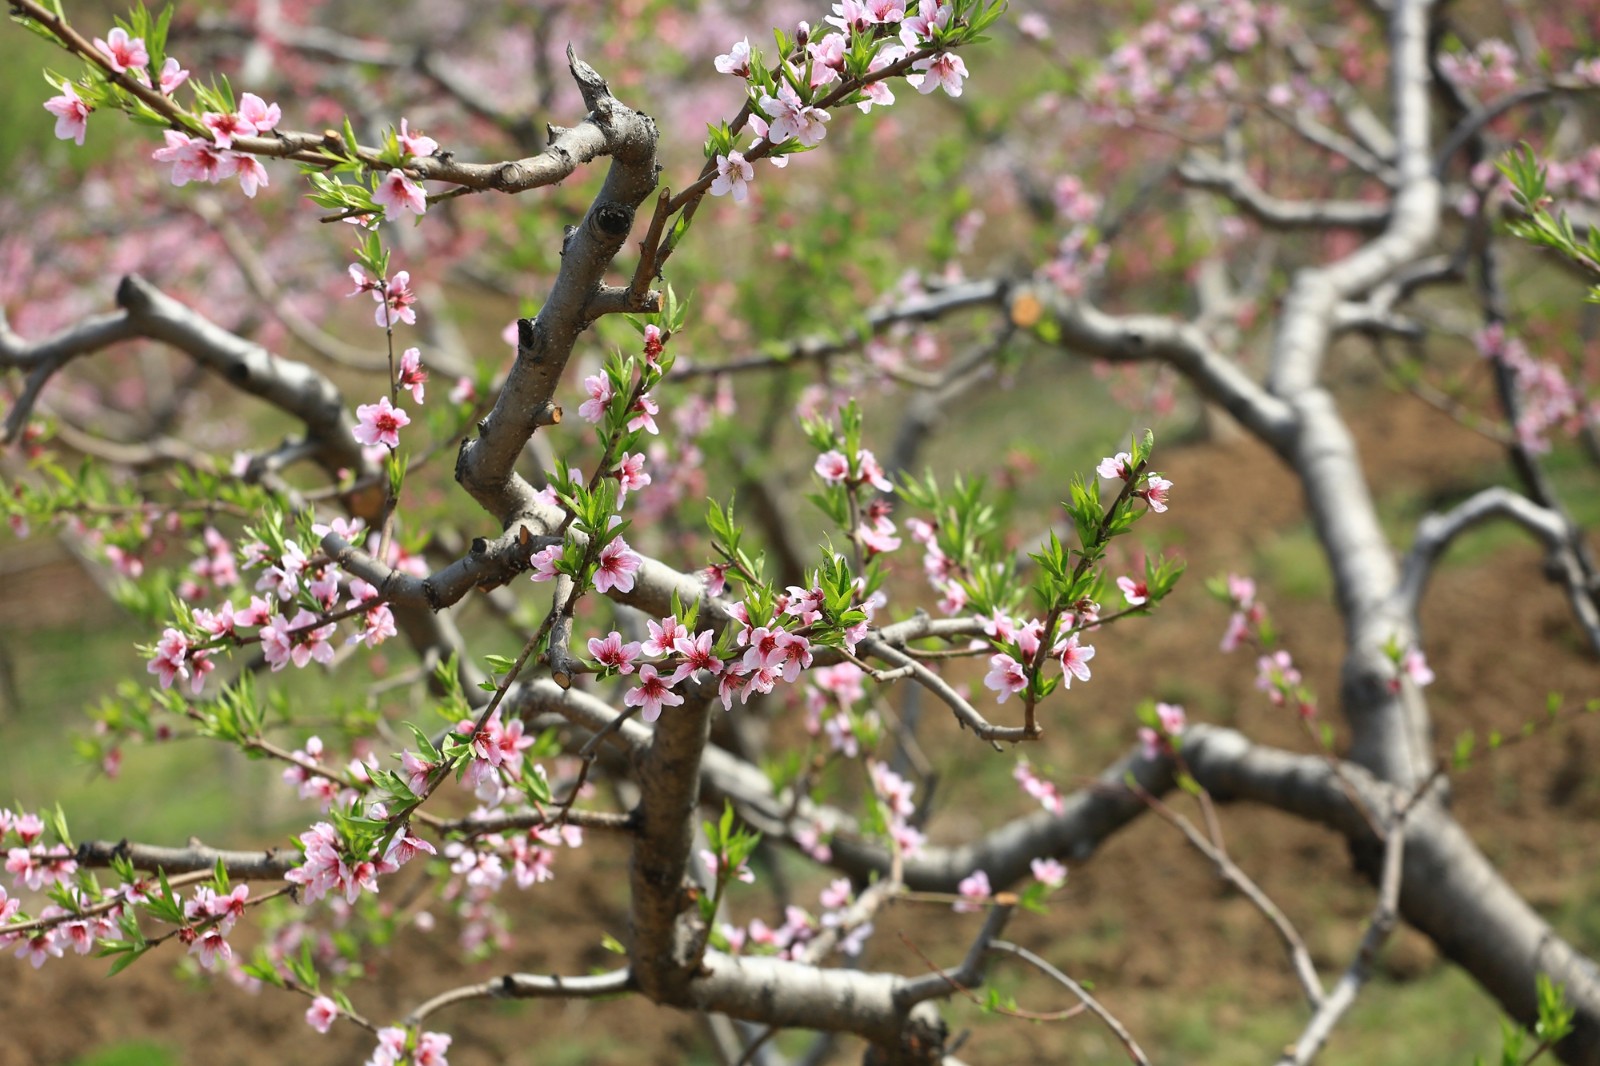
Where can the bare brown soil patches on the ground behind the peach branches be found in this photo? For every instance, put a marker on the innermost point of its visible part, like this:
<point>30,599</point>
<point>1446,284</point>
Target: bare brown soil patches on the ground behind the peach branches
<point>1498,636</point>
